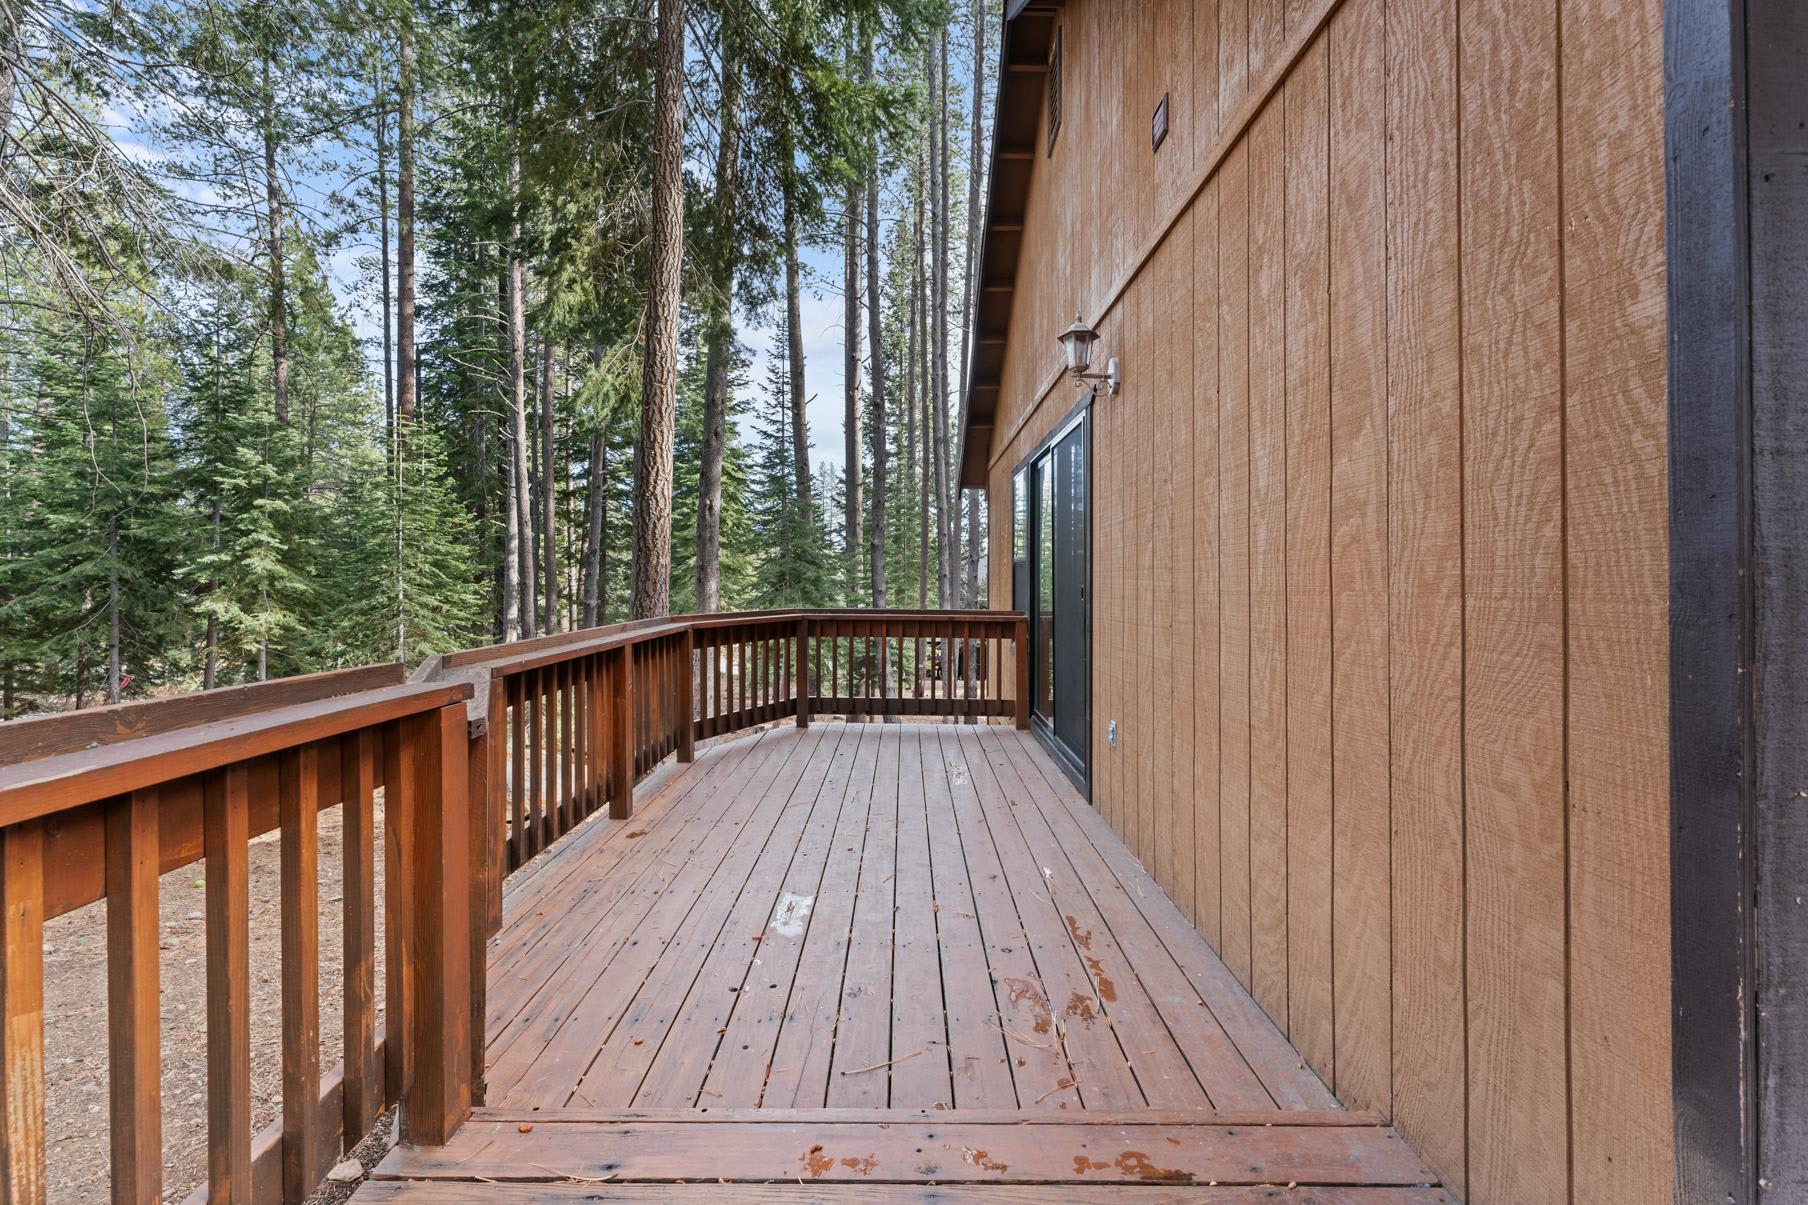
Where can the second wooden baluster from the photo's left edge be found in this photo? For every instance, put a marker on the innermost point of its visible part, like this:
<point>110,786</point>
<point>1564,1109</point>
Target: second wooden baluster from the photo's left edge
<point>133,1030</point>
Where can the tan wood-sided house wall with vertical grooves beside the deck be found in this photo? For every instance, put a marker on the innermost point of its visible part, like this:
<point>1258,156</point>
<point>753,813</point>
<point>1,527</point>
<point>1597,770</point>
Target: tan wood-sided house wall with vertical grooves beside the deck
<point>1380,538</point>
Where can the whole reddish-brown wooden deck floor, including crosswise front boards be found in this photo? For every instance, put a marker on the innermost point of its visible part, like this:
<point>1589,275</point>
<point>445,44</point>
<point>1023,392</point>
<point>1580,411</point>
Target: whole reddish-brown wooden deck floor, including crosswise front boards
<point>880,954</point>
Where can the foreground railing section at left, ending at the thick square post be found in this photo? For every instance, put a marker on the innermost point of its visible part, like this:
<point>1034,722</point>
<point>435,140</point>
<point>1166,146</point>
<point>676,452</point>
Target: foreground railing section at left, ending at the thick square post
<point>99,804</point>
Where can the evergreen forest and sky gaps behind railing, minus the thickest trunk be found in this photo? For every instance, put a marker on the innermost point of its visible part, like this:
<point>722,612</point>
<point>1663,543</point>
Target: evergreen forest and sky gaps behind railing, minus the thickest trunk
<point>207,475</point>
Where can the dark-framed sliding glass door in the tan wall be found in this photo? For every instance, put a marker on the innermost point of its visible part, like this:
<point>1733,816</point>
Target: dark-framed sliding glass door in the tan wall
<point>1059,571</point>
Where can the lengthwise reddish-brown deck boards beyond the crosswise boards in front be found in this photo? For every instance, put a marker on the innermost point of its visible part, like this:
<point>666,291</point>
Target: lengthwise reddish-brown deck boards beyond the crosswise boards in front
<point>957,898</point>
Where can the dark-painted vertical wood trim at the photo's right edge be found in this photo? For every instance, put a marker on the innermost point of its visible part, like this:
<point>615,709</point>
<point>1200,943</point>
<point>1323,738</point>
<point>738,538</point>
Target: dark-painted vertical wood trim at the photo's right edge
<point>1737,211</point>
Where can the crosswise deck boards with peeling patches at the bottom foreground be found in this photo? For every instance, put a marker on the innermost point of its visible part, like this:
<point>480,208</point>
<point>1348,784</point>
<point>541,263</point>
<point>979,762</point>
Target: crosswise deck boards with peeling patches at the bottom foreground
<point>816,1150</point>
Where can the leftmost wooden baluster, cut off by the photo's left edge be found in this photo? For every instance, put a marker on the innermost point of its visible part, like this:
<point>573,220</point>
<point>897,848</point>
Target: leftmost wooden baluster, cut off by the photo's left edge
<point>23,1023</point>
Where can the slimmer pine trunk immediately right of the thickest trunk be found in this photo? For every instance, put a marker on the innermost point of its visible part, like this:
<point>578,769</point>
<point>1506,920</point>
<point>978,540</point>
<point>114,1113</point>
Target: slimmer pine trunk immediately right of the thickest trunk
<point>726,254</point>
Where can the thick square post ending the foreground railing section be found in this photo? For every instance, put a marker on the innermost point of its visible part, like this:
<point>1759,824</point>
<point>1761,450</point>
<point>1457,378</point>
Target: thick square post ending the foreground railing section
<point>442,907</point>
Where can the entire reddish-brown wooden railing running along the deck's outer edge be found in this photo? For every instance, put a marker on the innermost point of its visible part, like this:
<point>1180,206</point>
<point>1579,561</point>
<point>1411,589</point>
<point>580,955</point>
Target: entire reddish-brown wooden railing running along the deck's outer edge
<point>485,759</point>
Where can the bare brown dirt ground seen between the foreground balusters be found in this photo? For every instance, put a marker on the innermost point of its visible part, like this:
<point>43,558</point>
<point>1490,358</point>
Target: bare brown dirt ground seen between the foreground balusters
<point>75,989</point>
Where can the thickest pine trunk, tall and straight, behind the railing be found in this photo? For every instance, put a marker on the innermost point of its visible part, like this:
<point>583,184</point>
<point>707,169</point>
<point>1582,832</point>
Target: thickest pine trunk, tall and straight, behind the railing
<point>659,381</point>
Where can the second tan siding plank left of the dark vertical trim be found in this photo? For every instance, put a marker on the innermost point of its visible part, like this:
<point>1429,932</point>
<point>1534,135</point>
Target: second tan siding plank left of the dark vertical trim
<point>1514,674</point>
